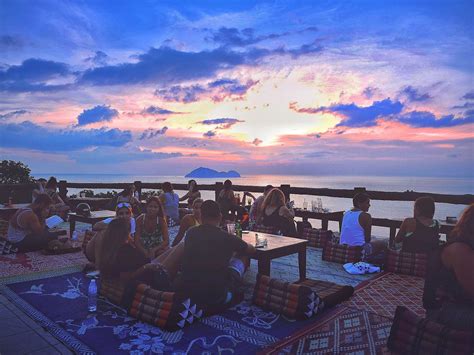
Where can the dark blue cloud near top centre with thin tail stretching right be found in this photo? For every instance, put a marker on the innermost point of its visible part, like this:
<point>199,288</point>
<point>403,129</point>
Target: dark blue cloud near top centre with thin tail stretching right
<point>233,37</point>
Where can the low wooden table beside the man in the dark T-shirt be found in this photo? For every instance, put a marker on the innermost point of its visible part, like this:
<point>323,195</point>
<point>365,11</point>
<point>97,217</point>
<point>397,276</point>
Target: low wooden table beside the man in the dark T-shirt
<point>277,246</point>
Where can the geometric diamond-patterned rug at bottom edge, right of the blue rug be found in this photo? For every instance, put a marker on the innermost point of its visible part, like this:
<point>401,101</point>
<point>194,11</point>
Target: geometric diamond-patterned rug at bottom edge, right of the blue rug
<point>342,331</point>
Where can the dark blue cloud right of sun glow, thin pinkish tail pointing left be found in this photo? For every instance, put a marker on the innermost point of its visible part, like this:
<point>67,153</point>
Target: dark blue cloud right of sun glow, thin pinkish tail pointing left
<point>356,116</point>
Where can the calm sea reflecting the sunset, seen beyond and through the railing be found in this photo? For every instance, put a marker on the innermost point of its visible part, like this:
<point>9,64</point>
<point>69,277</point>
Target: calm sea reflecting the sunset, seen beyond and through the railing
<point>380,209</point>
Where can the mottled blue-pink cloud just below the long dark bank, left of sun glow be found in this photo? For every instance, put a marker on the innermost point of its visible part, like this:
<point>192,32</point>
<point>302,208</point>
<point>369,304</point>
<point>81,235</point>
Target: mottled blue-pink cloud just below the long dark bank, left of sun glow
<point>217,90</point>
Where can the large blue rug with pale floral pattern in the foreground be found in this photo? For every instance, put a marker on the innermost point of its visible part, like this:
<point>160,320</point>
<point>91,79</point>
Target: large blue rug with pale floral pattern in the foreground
<point>59,304</point>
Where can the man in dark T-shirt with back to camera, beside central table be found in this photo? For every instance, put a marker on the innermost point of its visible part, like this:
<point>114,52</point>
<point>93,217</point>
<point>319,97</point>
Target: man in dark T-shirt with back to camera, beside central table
<point>213,260</point>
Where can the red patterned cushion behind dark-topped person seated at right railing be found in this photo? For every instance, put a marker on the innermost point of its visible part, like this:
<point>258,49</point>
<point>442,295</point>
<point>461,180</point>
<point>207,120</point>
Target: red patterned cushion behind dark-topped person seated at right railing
<point>406,263</point>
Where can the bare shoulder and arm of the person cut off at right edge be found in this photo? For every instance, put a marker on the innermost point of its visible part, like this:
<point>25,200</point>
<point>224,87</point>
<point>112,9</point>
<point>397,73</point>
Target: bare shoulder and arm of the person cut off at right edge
<point>459,257</point>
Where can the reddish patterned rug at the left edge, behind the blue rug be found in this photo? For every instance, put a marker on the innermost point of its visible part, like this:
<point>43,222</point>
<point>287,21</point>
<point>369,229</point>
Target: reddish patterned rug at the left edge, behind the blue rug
<point>33,262</point>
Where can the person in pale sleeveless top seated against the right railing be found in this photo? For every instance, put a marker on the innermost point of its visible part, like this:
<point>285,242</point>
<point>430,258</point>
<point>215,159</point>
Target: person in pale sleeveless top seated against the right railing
<point>357,226</point>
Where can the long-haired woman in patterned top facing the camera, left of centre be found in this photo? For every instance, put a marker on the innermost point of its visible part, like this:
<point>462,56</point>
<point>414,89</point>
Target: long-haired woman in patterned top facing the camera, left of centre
<point>152,230</point>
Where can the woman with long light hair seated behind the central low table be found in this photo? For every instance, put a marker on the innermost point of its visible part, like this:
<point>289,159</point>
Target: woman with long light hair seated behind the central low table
<point>275,213</point>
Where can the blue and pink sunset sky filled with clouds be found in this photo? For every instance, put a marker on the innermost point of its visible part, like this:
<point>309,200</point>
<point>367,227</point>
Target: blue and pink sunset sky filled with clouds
<point>277,87</point>
